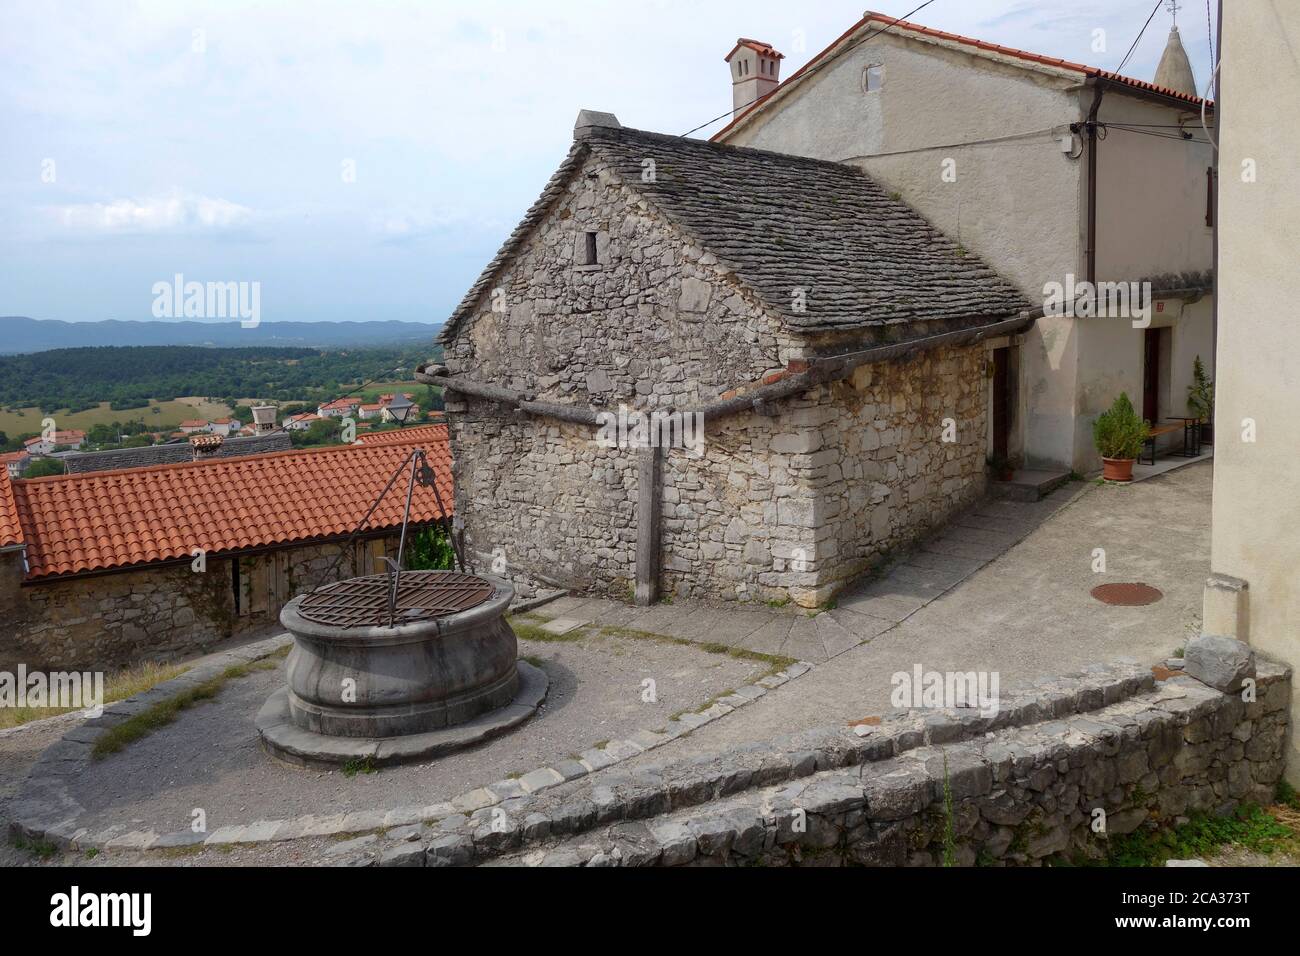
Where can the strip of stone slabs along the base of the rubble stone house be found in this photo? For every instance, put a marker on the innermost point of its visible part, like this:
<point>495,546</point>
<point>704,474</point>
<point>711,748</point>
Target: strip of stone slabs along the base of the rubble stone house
<point>863,613</point>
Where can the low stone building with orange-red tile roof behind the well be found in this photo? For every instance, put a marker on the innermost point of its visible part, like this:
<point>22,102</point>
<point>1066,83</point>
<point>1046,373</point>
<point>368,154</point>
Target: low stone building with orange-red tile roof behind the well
<point>112,568</point>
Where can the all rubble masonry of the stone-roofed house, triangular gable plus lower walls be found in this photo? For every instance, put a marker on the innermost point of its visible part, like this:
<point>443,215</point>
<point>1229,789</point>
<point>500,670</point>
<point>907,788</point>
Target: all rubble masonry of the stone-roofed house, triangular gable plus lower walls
<point>785,507</point>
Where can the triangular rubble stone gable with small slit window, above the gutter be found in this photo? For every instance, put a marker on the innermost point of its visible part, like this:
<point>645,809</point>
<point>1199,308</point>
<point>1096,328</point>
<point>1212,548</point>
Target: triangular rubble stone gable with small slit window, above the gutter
<point>657,323</point>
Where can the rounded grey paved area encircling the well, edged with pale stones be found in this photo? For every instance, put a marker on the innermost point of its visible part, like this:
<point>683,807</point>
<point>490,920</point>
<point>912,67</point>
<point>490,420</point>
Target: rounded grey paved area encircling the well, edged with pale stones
<point>210,758</point>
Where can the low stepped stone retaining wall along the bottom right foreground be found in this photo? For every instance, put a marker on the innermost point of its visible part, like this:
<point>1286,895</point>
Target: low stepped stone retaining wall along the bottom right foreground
<point>1020,788</point>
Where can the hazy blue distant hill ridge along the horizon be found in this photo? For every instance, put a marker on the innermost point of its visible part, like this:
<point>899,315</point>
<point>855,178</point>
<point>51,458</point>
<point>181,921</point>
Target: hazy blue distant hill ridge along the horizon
<point>23,335</point>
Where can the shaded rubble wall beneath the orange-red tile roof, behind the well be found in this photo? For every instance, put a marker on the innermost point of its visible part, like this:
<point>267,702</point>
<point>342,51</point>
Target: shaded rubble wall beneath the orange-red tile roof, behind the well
<point>154,615</point>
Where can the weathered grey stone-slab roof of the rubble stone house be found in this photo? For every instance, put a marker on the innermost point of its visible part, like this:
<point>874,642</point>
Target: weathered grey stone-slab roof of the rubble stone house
<point>783,223</point>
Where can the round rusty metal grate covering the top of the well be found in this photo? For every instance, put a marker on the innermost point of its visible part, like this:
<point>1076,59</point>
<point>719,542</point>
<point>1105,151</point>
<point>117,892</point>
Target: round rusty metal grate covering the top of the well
<point>422,596</point>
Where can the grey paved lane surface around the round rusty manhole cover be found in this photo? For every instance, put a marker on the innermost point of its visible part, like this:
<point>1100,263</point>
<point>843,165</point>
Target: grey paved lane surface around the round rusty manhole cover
<point>1026,616</point>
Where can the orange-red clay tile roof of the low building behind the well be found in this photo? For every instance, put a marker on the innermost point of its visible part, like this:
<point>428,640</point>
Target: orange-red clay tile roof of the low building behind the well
<point>116,520</point>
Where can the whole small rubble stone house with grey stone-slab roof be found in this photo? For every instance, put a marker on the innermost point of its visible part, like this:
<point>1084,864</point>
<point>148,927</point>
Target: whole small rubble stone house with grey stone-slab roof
<point>817,353</point>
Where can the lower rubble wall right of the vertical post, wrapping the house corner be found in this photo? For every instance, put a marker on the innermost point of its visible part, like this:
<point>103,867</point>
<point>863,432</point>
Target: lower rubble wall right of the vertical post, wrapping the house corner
<point>798,504</point>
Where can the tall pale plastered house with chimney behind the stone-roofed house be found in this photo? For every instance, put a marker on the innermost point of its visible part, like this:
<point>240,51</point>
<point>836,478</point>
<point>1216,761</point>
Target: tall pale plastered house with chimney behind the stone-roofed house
<point>1056,174</point>
